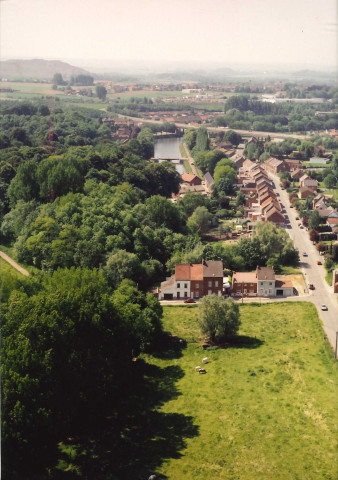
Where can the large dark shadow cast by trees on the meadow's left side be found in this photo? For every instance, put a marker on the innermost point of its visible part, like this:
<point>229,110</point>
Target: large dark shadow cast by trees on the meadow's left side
<point>132,438</point>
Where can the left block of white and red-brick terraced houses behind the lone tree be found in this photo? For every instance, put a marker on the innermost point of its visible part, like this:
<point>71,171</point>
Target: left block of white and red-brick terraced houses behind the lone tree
<point>194,281</point>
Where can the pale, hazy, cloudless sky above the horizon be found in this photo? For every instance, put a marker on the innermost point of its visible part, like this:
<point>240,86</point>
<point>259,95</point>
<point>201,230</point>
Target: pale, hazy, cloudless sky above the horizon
<point>294,32</point>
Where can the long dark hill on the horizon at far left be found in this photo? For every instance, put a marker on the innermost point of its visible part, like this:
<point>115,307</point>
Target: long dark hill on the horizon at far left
<point>38,69</point>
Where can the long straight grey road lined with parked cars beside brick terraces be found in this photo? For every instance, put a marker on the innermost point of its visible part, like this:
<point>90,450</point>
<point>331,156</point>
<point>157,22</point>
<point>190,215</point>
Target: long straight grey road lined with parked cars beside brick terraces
<point>315,274</point>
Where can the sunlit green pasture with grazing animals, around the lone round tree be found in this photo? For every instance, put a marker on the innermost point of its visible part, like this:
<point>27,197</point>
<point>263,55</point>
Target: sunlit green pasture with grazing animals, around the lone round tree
<point>267,407</point>
